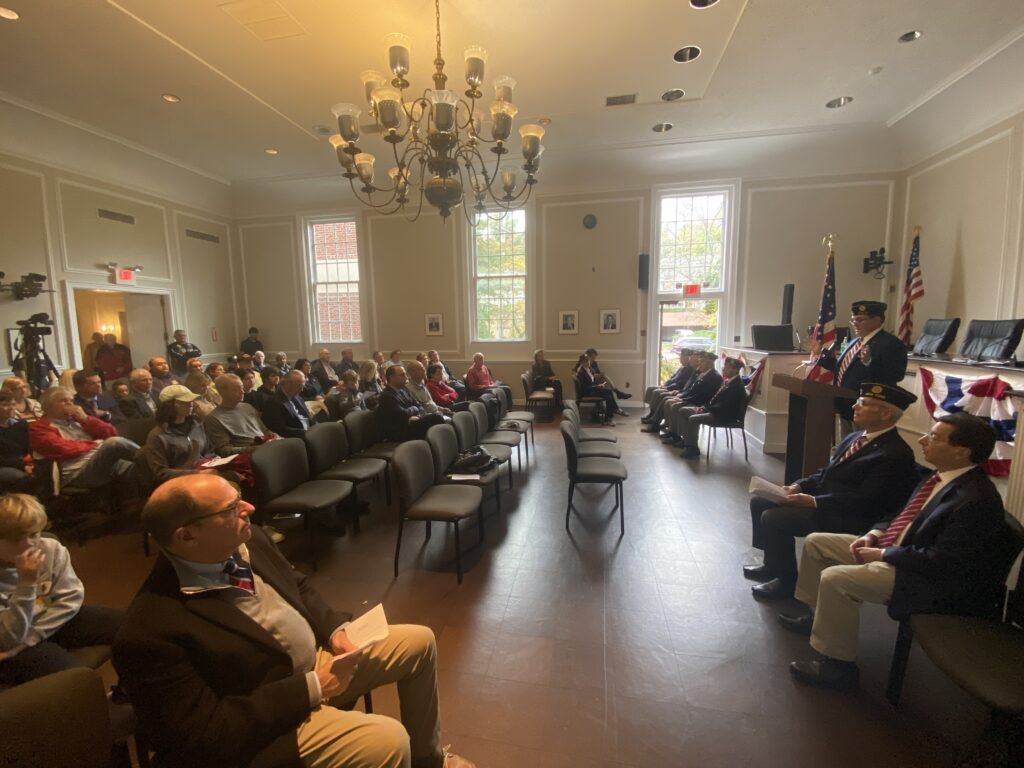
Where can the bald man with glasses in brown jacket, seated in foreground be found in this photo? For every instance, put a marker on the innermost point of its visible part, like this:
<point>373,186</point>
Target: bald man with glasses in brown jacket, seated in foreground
<point>229,654</point>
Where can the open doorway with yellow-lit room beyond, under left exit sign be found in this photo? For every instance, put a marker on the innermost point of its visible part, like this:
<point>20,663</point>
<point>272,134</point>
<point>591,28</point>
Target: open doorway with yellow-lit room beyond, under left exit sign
<point>140,321</point>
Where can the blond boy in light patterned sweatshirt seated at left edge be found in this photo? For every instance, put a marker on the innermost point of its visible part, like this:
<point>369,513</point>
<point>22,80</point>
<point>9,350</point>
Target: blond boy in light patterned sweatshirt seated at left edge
<point>42,616</point>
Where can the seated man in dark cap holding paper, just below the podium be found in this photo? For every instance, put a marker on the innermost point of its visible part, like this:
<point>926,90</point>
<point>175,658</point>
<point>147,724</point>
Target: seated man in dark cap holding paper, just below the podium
<point>871,476</point>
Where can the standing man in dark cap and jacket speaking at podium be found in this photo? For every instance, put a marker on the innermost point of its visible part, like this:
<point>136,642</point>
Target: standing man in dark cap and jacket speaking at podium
<point>873,355</point>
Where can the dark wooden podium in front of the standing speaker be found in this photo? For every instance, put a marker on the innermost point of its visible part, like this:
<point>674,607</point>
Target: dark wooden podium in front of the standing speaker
<point>812,425</point>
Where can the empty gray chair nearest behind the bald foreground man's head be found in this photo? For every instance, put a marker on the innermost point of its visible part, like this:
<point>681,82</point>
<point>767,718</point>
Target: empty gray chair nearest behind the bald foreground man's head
<point>284,489</point>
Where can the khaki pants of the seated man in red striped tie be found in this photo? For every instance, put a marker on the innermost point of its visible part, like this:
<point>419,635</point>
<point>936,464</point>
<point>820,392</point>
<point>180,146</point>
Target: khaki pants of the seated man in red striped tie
<point>835,585</point>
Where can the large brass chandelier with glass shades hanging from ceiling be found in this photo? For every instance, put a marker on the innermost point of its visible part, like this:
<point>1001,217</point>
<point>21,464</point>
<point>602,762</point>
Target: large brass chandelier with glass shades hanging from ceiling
<point>440,152</point>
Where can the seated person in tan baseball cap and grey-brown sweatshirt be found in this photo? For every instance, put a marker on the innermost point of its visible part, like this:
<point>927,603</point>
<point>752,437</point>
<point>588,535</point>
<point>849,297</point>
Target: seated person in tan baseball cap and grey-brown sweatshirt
<point>178,444</point>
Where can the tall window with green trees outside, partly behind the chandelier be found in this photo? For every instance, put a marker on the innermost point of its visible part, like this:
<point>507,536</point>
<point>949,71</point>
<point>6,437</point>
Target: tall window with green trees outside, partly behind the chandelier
<point>500,278</point>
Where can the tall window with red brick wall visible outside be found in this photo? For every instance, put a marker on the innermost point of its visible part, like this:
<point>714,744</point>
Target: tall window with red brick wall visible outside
<point>335,273</point>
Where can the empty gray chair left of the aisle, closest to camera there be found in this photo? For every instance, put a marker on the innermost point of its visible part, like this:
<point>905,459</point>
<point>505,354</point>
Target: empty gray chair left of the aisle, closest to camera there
<point>419,499</point>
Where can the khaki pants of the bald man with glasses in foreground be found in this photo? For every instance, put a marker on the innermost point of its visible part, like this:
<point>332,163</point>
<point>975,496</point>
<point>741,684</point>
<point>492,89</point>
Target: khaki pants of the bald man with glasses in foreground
<point>335,739</point>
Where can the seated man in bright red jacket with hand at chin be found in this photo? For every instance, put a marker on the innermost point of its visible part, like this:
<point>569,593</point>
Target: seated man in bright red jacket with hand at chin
<point>88,451</point>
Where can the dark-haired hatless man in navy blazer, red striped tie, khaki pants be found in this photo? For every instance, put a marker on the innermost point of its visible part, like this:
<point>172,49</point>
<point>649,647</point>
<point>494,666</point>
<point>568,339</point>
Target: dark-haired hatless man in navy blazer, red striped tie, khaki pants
<point>949,551</point>
